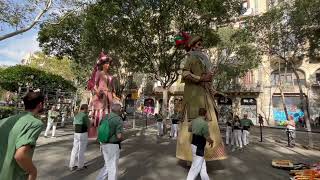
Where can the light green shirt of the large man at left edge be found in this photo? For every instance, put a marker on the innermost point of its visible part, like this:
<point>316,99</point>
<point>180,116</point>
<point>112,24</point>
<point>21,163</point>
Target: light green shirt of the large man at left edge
<point>15,132</point>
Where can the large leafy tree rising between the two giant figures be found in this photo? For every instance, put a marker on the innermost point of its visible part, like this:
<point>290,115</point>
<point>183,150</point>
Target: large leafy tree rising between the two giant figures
<point>141,32</point>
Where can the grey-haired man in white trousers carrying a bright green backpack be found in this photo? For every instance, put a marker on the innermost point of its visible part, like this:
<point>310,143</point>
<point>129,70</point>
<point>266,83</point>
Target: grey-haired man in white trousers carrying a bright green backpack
<point>111,149</point>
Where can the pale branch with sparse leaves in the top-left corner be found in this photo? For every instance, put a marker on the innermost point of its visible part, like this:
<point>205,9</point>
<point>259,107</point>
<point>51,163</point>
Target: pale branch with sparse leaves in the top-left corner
<point>21,16</point>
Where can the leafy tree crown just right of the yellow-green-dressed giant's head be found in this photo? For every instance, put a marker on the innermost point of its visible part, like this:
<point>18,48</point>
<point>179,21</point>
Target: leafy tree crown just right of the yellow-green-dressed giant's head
<point>235,56</point>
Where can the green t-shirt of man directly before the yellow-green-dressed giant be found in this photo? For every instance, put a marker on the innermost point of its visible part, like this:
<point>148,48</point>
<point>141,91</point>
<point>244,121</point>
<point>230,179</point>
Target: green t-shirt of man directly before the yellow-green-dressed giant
<point>200,127</point>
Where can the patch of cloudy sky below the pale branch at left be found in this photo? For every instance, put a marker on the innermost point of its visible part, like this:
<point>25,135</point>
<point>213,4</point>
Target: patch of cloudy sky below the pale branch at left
<point>12,50</point>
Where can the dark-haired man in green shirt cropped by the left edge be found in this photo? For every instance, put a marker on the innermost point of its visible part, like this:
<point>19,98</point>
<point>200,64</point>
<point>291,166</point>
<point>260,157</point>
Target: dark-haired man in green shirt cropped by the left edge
<point>18,136</point>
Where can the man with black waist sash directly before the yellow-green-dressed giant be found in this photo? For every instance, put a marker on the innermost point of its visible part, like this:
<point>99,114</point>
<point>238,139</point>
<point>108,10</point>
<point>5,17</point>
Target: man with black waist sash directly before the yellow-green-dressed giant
<point>200,135</point>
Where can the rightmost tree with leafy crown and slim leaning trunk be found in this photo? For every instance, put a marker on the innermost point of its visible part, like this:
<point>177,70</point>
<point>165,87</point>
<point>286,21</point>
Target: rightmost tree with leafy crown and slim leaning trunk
<point>289,34</point>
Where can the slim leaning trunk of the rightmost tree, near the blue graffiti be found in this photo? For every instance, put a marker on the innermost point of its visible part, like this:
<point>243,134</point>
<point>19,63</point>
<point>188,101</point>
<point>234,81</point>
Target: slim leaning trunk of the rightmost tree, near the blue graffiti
<point>304,108</point>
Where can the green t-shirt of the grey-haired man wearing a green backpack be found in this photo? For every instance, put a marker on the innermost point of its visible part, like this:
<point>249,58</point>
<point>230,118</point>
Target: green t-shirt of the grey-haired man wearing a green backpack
<point>116,126</point>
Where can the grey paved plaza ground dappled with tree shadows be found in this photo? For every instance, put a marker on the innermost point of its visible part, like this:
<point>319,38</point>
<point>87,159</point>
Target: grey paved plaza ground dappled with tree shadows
<point>144,156</point>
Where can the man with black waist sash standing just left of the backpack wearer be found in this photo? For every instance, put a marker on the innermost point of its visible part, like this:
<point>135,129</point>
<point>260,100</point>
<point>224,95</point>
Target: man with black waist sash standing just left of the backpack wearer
<point>81,124</point>
